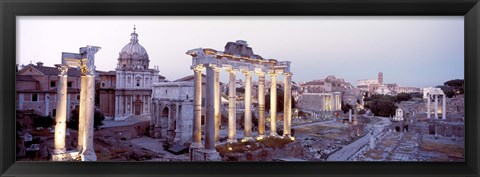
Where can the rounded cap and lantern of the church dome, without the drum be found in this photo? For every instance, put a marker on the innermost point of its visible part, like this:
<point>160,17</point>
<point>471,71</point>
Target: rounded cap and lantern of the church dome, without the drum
<point>134,50</point>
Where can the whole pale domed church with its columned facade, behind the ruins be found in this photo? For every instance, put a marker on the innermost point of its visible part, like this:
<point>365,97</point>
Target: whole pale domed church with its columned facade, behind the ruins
<point>134,80</point>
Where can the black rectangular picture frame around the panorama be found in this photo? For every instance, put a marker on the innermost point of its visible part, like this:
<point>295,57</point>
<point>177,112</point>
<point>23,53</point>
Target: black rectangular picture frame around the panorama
<point>9,9</point>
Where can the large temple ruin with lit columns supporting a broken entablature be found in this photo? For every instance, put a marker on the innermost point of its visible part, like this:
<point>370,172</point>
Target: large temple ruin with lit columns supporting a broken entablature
<point>237,57</point>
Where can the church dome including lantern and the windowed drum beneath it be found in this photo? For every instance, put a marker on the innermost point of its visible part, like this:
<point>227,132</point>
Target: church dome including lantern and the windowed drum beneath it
<point>133,55</point>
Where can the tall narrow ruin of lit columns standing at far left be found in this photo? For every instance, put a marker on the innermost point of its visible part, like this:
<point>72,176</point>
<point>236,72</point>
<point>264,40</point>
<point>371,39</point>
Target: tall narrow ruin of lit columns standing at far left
<point>86,61</point>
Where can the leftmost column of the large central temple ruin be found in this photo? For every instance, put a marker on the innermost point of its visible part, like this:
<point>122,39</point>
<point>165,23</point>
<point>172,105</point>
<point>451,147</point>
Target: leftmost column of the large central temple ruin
<point>197,109</point>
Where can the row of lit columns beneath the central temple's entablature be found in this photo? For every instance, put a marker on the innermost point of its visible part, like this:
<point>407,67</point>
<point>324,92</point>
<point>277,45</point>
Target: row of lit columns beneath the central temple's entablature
<point>213,103</point>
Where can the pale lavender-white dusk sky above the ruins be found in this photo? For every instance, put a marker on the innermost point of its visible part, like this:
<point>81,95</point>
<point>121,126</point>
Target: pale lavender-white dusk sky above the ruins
<point>418,51</point>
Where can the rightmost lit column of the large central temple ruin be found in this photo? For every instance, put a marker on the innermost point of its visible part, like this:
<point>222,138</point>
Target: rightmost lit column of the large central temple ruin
<point>287,106</point>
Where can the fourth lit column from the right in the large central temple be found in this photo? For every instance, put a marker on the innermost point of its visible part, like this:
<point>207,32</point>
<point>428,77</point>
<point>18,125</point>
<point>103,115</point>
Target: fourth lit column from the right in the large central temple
<point>247,132</point>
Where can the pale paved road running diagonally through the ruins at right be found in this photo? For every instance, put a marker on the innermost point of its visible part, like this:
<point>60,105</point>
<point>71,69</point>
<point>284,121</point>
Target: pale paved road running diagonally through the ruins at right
<point>349,150</point>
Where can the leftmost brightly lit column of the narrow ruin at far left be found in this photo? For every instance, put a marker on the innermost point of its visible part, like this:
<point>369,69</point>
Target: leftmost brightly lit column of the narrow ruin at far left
<point>61,115</point>
